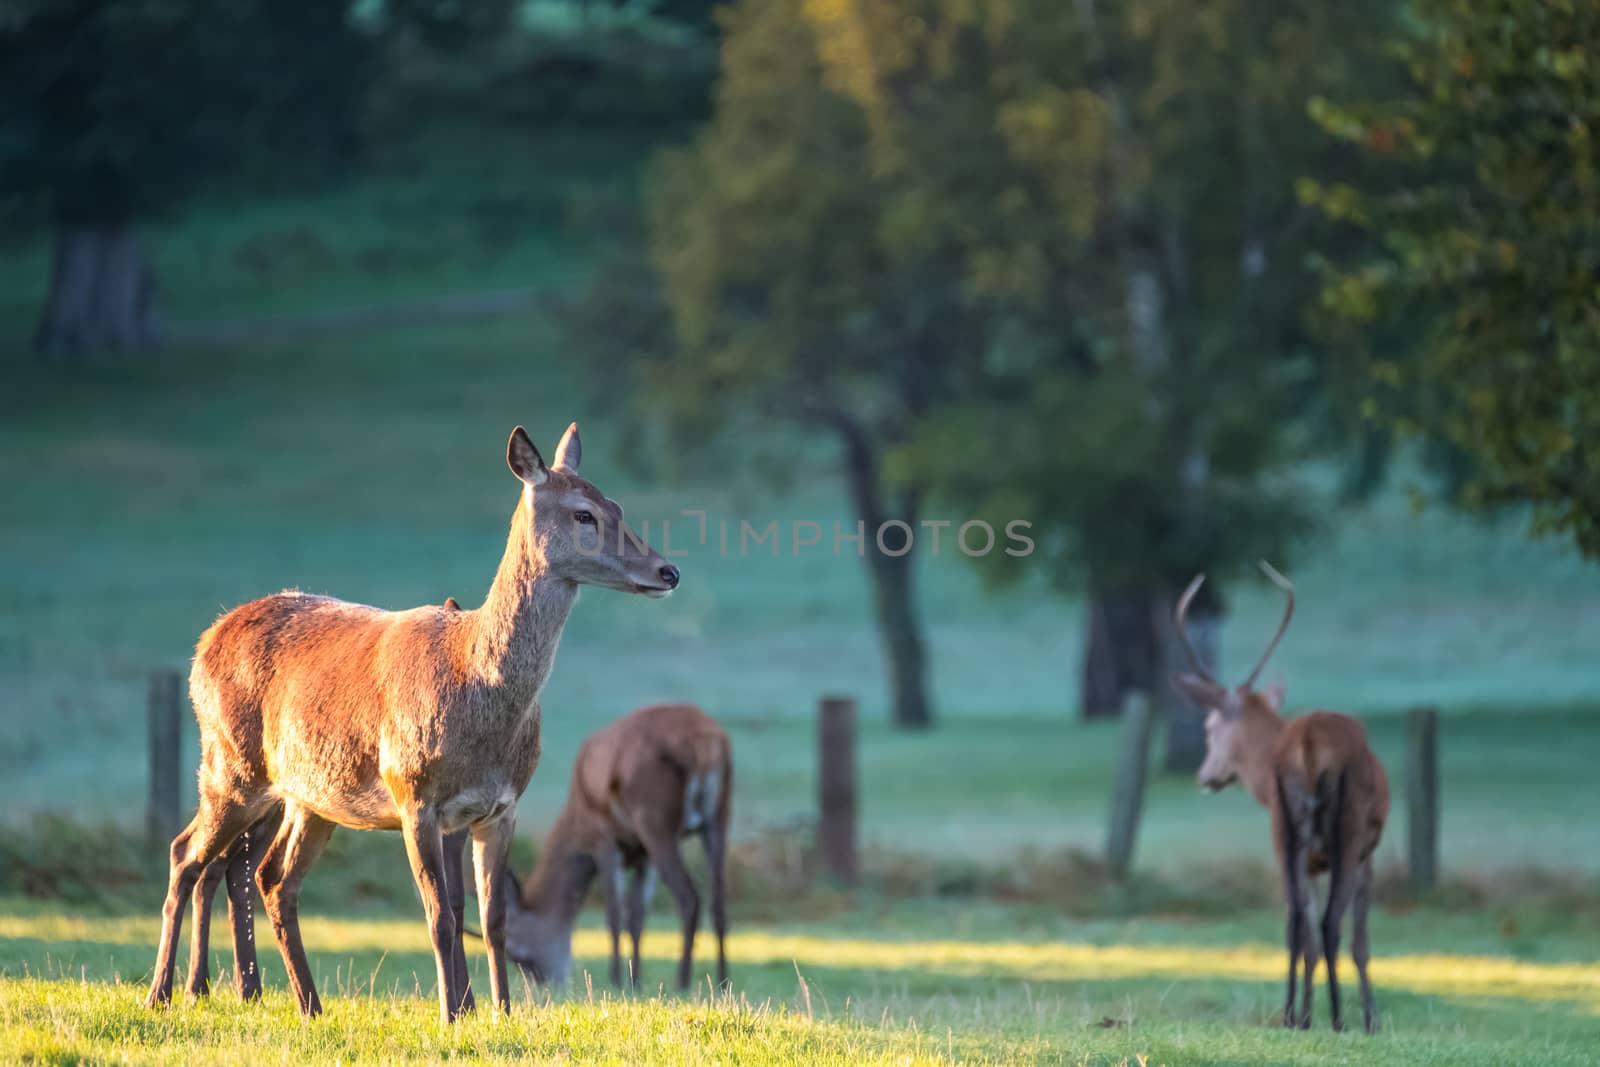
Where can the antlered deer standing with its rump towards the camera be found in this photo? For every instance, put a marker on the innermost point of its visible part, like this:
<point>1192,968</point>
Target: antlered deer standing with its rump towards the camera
<point>1327,794</point>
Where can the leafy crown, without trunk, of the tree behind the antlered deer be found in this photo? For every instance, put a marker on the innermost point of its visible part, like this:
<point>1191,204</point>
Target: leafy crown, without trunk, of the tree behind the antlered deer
<point>1150,412</point>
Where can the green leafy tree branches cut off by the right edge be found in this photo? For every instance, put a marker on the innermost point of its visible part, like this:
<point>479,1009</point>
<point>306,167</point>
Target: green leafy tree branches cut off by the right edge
<point>1482,215</point>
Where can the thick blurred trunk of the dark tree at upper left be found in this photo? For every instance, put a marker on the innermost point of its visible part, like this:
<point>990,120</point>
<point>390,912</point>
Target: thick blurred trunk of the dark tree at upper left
<point>102,295</point>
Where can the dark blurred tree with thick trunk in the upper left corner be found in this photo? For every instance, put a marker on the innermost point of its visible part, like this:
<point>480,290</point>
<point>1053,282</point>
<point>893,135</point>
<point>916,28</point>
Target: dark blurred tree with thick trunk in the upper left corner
<point>124,110</point>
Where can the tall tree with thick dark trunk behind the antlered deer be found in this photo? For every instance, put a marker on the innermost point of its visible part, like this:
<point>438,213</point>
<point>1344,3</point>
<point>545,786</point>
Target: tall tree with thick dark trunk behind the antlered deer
<point>1162,450</point>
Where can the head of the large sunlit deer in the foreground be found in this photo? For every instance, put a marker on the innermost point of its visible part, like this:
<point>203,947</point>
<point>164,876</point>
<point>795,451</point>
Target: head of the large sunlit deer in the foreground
<point>577,532</point>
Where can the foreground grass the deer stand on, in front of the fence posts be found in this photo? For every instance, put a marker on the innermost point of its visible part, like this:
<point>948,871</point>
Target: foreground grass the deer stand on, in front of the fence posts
<point>911,983</point>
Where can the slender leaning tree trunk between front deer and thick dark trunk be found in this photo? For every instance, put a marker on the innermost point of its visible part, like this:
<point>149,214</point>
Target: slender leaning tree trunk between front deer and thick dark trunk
<point>892,578</point>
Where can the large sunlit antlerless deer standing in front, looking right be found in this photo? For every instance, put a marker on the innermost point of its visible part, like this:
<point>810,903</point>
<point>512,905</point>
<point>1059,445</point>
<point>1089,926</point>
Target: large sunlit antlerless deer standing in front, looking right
<point>423,722</point>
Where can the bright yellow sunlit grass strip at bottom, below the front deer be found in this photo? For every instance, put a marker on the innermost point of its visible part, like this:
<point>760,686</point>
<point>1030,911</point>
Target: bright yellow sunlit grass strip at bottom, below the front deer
<point>62,1023</point>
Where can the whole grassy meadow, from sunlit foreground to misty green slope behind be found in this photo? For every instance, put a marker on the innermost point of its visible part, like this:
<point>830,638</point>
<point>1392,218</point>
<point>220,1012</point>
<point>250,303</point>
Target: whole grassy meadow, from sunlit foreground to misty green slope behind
<point>143,498</point>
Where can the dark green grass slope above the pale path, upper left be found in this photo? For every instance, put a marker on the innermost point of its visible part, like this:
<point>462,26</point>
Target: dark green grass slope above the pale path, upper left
<point>425,215</point>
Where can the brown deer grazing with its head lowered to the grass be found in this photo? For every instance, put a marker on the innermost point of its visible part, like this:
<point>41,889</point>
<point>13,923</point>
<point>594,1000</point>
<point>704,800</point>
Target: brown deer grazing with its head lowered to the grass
<point>641,786</point>
